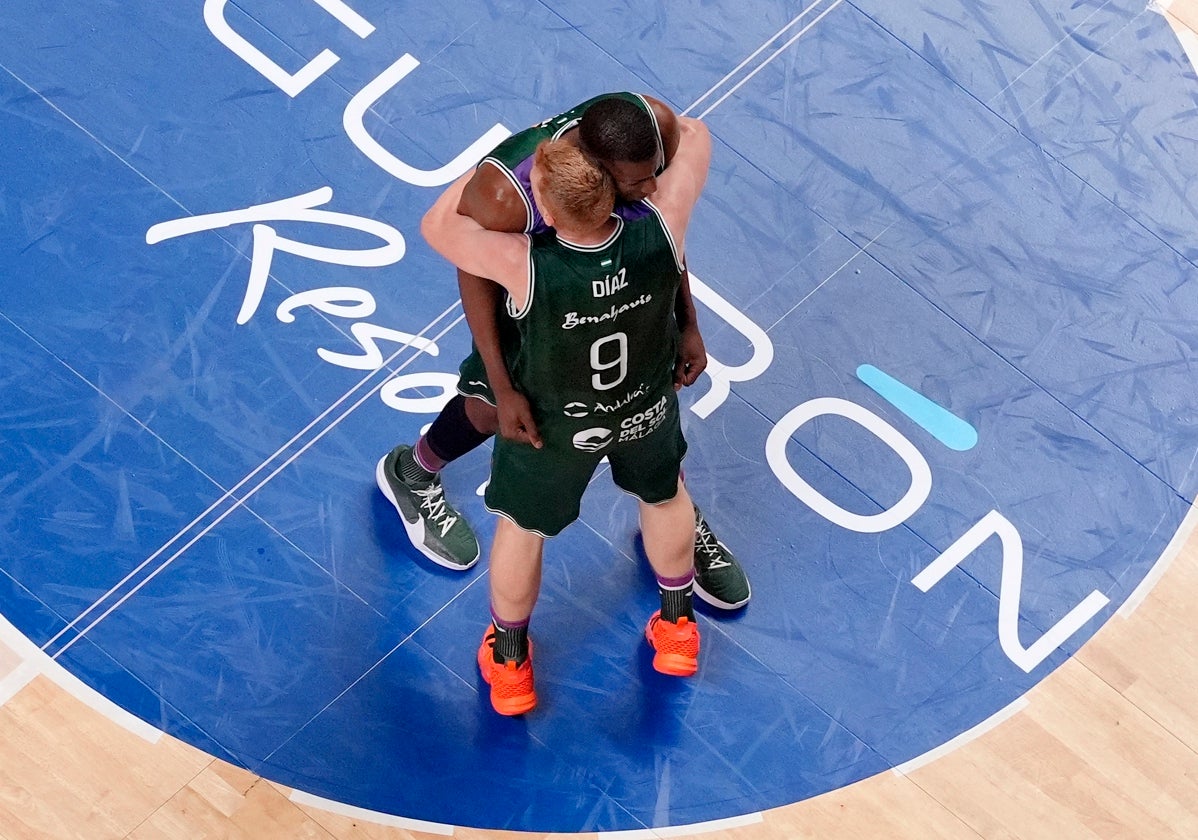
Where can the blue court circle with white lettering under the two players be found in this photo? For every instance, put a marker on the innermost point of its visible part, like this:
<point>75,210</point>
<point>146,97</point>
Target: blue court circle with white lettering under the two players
<point>943,268</point>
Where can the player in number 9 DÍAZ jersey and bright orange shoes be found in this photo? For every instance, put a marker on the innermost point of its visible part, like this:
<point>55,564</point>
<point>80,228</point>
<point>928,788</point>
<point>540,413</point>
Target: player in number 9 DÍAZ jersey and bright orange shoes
<point>594,304</point>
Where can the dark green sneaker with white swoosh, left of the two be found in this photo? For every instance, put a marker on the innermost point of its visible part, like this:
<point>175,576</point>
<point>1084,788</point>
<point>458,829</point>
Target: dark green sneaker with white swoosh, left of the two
<point>434,527</point>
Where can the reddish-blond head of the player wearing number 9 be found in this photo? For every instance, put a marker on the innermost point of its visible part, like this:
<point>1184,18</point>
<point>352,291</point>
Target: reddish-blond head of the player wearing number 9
<point>571,190</point>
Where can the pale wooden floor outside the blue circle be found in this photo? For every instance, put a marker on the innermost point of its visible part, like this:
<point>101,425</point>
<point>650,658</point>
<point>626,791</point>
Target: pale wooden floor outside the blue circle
<point>1105,748</point>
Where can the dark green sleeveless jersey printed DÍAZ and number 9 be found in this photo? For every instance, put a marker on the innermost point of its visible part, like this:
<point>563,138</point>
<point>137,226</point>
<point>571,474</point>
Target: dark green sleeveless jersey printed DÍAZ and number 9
<point>598,336</point>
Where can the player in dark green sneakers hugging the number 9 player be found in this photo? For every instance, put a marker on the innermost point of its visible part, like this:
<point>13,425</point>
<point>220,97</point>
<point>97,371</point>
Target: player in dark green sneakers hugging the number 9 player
<point>632,137</point>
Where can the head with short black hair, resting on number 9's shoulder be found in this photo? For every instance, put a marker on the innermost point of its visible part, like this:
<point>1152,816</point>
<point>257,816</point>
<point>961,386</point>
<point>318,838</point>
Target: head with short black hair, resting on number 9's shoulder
<point>624,138</point>
